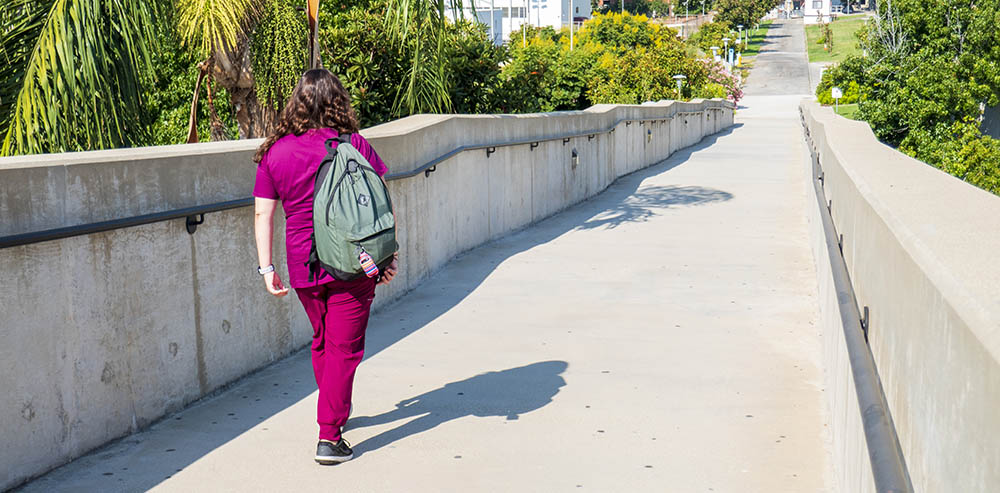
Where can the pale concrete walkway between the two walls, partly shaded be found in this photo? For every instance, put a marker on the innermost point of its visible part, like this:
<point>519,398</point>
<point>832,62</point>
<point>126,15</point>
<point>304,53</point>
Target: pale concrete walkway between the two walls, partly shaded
<point>659,337</point>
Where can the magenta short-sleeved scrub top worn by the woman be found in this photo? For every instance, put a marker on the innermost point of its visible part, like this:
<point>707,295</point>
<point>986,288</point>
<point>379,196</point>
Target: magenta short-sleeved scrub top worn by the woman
<point>287,173</point>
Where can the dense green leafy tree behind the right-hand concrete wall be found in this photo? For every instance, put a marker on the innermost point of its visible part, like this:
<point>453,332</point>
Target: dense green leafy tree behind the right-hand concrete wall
<point>927,72</point>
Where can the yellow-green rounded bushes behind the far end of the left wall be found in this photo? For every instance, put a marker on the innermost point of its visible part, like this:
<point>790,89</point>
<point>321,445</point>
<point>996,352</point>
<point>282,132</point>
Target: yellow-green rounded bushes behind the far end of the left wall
<point>616,59</point>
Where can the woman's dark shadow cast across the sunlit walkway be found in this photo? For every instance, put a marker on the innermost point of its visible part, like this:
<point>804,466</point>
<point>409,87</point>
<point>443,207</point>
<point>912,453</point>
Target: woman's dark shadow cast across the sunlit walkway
<point>508,393</point>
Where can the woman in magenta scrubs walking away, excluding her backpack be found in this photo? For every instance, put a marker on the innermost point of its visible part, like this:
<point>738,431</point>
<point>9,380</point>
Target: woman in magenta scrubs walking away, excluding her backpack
<point>319,109</point>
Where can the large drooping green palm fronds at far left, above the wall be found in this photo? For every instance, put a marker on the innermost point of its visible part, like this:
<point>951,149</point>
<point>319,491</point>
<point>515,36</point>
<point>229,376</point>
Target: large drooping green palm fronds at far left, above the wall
<point>80,86</point>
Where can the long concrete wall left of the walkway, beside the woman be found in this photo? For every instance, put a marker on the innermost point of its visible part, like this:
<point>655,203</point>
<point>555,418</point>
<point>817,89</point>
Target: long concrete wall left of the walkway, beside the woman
<point>104,333</point>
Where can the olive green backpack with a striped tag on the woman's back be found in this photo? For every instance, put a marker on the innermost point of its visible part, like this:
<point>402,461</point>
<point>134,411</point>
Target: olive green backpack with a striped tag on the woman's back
<point>354,231</point>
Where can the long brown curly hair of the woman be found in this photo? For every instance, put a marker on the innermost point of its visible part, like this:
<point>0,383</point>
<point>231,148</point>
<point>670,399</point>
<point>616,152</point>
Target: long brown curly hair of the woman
<point>318,101</point>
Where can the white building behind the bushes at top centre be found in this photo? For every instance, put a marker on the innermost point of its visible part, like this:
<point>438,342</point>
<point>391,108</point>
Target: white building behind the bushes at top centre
<point>506,16</point>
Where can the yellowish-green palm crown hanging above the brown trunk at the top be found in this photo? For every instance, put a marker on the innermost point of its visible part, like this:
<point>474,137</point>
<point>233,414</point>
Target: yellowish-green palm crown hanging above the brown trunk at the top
<point>209,25</point>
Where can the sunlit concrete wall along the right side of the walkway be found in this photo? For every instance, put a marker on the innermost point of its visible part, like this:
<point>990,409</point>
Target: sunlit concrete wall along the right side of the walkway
<point>922,249</point>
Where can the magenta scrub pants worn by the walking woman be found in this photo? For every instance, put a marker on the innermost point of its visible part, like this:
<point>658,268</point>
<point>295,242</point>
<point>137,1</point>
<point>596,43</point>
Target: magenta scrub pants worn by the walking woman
<point>338,312</point>
